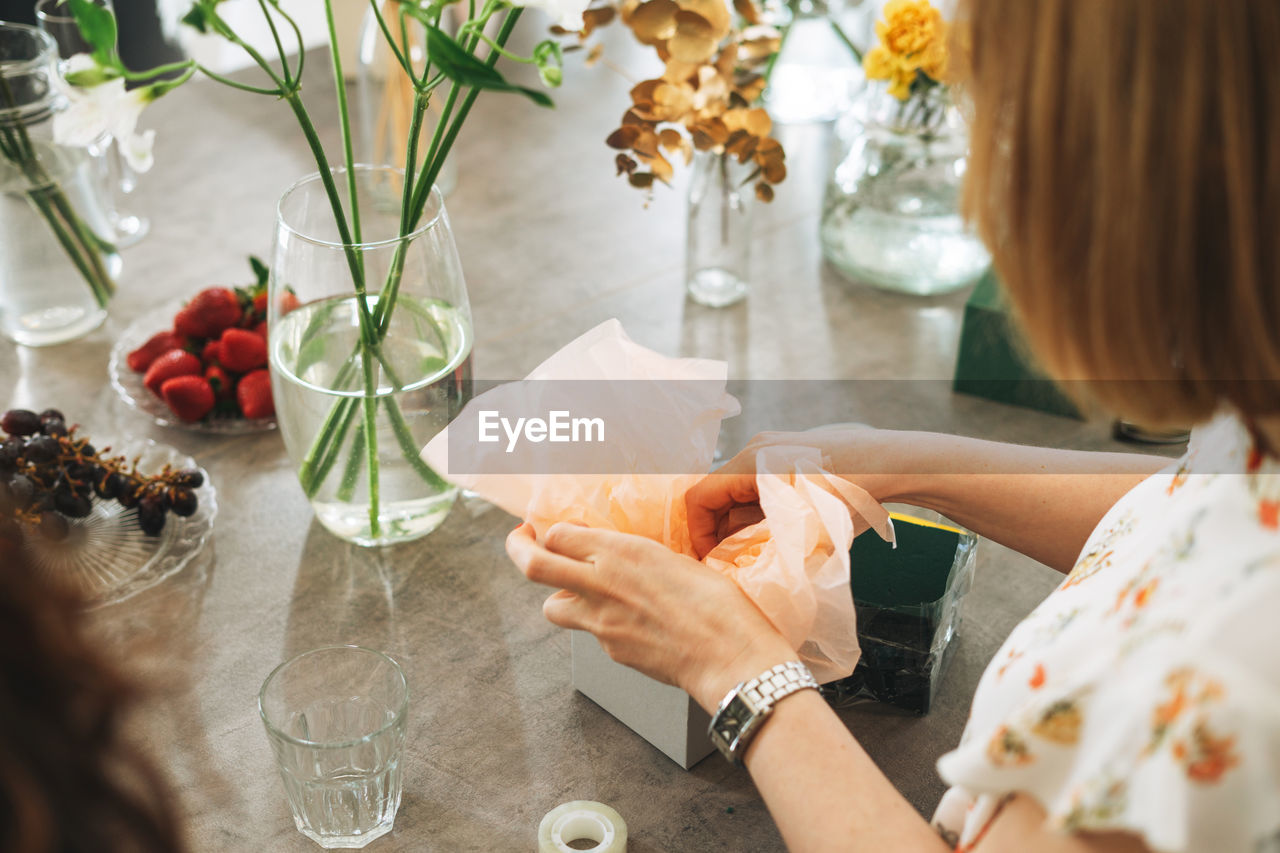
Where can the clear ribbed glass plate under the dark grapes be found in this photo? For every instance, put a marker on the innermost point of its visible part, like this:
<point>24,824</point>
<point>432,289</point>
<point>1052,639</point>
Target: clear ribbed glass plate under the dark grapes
<point>108,556</point>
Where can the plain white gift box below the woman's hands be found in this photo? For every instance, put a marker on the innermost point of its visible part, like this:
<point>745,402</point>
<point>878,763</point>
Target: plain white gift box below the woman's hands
<point>664,715</point>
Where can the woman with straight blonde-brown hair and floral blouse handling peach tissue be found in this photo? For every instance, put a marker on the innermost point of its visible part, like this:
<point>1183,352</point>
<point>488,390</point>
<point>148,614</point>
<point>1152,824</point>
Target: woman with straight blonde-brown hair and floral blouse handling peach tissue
<point>1126,172</point>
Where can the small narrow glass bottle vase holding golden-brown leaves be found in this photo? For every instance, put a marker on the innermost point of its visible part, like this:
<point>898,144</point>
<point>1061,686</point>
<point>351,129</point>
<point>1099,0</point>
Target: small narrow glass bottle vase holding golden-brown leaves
<point>719,239</point>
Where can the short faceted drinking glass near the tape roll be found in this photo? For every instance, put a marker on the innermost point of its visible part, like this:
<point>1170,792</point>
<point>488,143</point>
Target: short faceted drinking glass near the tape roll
<point>336,720</point>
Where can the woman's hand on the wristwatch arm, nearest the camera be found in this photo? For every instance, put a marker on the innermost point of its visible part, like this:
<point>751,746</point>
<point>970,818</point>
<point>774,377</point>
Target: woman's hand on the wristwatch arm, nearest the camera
<point>653,610</point>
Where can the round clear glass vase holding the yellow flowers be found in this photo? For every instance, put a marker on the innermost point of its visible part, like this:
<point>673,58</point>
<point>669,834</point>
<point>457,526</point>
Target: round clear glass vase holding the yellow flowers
<point>892,215</point>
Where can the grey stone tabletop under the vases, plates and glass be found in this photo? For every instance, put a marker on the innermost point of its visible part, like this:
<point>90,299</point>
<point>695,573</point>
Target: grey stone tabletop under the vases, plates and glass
<point>552,245</point>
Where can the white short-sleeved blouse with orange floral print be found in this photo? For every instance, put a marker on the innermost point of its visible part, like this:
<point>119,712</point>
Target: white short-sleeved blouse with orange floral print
<point>1144,695</point>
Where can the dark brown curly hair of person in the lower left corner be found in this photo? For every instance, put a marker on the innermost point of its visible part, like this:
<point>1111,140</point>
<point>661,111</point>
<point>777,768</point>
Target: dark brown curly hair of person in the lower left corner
<point>71,781</point>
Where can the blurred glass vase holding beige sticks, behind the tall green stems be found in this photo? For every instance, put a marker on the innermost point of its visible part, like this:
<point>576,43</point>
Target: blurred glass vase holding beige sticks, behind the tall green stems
<point>387,95</point>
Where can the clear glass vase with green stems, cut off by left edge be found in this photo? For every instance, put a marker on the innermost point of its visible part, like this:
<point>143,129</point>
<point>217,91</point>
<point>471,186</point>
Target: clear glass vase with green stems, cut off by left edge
<point>58,264</point>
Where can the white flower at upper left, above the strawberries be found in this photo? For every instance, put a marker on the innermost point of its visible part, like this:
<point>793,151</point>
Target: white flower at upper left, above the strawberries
<point>106,108</point>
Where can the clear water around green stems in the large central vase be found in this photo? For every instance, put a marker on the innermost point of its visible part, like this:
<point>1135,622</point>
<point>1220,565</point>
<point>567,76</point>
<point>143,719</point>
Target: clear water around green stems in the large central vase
<point>418,384</point>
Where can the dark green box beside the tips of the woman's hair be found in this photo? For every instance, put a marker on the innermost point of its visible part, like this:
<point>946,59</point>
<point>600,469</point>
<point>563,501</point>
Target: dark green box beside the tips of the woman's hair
<point>991,363</point>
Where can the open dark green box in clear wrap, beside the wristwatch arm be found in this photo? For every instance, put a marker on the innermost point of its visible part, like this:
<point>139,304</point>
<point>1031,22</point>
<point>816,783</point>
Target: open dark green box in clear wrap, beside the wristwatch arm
<point>908,604</point>
